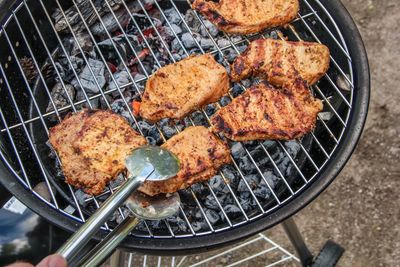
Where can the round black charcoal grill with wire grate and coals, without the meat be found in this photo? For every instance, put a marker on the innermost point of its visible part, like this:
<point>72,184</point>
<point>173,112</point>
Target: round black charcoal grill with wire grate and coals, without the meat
<point>267,182</point>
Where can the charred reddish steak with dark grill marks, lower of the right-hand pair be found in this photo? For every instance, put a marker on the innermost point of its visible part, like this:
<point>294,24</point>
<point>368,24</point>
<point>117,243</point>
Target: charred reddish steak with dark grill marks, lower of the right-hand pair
<point>266,112</point>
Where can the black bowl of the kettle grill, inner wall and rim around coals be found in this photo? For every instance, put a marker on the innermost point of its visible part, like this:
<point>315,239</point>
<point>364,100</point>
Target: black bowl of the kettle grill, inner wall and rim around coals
<point>36,162</point>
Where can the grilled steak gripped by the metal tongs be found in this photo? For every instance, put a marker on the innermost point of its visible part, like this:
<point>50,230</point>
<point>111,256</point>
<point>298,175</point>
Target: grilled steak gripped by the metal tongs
<point>200,154</point>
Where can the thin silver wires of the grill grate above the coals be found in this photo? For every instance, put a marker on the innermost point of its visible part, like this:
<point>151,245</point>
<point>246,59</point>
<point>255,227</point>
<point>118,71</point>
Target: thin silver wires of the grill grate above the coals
<point>301,22</point>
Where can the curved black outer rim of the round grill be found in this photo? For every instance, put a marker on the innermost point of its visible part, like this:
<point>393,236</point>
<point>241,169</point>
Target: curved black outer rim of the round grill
<point>332,168</point>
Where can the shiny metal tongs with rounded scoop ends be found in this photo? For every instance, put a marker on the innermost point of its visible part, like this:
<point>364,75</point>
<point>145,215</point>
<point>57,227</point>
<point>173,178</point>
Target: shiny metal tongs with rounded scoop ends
<point>145,163</point>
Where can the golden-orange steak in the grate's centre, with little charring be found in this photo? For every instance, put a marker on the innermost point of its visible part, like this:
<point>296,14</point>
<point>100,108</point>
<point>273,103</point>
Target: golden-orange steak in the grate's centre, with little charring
<point>178,89</point>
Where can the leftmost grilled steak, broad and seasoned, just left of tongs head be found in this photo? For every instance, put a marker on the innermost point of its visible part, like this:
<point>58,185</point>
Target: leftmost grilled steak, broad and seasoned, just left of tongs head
<point>92,146</point>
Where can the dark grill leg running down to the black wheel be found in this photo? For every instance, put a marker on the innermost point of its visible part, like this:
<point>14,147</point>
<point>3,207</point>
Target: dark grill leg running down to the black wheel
<point>297,241</point>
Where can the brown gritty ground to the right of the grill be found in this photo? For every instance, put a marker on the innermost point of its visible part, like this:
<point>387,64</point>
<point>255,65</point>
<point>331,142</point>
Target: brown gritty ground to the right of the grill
<point>360,210</point>
